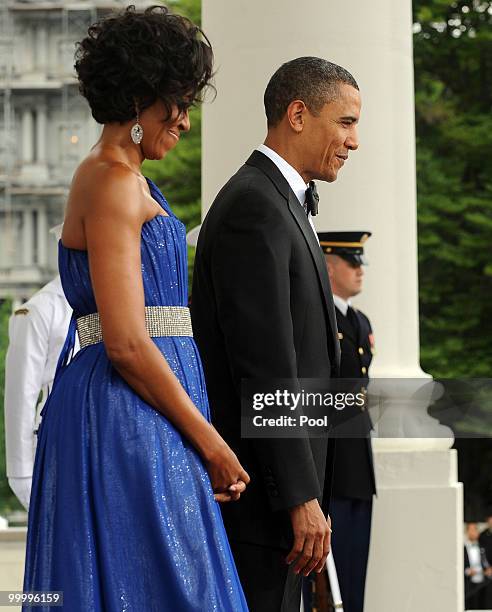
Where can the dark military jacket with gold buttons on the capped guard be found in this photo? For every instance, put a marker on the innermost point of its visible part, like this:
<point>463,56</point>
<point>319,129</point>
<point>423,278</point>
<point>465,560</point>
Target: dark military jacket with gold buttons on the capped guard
<point>353,475</point>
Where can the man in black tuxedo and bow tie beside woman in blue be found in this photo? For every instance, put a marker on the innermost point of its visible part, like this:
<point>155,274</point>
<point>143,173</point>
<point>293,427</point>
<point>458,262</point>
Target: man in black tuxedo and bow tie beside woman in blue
<point>262,308</point>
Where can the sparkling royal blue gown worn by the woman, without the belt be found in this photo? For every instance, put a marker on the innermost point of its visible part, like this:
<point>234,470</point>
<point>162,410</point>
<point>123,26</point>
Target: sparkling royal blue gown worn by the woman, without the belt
<point>122,515</point>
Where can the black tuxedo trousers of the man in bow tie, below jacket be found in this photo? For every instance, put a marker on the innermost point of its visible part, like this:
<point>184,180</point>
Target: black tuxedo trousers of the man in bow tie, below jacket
<point>268,582</point>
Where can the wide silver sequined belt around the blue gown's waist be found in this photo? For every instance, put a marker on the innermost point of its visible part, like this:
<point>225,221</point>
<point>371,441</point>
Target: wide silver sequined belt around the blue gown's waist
<point>159,321</point>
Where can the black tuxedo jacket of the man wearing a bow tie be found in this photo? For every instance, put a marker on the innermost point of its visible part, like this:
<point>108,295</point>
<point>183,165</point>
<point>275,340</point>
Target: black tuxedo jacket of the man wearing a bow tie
<point>262,307</point>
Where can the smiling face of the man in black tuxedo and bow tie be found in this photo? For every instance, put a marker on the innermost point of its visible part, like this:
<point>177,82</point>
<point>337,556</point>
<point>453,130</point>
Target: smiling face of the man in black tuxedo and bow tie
<point>329,136</point>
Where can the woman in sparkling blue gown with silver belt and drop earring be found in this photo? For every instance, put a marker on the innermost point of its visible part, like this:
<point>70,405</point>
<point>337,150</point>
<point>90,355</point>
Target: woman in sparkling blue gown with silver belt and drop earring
<point>128,471</point>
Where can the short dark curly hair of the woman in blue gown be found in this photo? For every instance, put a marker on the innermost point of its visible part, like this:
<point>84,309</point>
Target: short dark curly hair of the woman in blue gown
<point>136,58</point>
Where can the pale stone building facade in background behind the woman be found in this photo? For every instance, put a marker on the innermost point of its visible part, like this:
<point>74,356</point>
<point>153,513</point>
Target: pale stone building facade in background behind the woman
<point>46,128</point>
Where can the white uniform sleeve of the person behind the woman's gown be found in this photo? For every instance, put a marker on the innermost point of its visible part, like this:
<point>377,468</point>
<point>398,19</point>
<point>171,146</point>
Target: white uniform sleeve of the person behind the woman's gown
<point>24,367</point>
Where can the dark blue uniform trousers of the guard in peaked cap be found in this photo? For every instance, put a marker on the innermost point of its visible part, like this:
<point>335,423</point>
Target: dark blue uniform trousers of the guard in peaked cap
<point>351,520</point>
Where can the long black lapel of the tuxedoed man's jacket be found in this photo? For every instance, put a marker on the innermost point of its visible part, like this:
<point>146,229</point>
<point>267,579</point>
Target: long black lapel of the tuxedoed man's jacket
<point>262,162</point>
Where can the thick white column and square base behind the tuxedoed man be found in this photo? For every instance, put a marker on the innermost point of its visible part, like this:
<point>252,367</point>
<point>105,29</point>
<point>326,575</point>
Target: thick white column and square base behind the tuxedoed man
<point>420,501</point>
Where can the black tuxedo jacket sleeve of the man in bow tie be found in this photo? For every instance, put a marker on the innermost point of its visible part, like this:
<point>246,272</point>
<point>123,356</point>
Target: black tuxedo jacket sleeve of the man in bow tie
<point>251,280</point>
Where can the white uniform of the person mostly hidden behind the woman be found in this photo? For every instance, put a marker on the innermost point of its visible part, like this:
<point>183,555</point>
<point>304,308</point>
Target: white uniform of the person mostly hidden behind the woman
<point>37,332</point>
